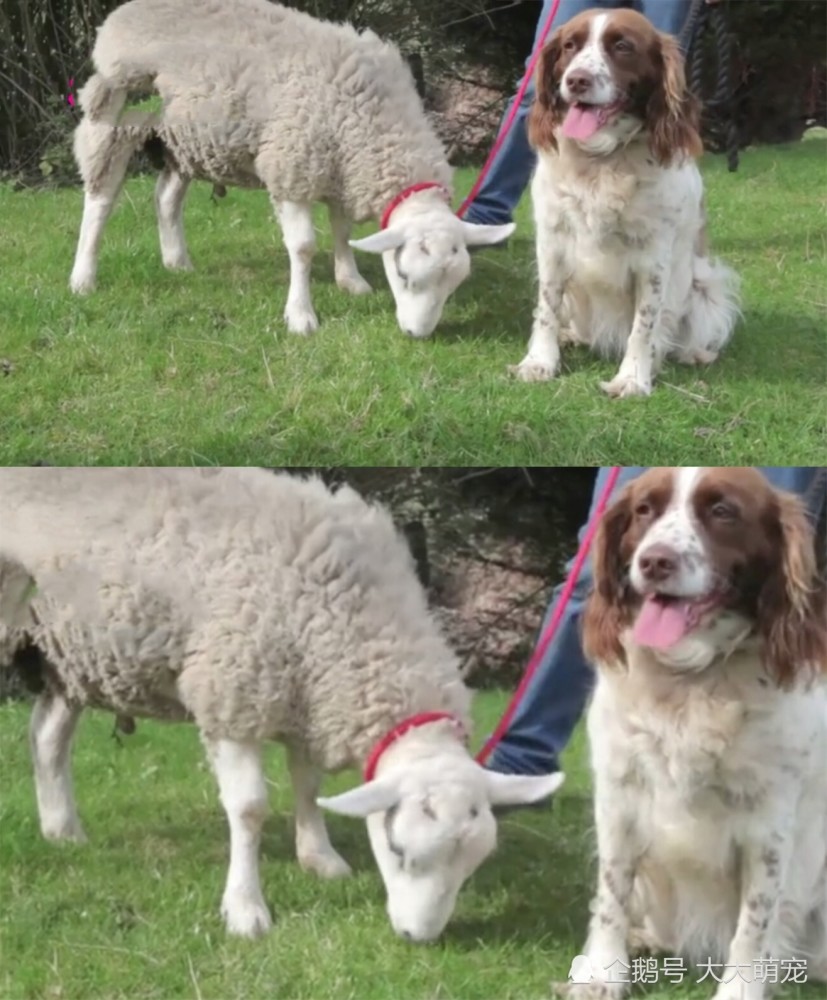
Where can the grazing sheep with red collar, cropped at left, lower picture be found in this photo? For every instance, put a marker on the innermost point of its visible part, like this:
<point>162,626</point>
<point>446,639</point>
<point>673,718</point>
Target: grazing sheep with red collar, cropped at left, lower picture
<point>261,607</point>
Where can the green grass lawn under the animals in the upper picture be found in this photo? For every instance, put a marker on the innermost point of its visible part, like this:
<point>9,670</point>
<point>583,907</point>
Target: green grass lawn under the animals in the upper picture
<point>164,368</point>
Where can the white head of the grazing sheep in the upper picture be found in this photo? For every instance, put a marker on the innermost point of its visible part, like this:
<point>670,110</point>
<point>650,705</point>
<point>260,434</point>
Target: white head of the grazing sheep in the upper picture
<point>425,254</point>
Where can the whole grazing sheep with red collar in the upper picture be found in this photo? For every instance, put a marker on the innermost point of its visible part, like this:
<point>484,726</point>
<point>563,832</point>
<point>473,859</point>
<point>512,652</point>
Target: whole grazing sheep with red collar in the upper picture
<point>257,95</point>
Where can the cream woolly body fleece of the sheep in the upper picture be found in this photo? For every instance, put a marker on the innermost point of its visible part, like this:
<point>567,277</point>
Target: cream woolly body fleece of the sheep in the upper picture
<point>255,93</point>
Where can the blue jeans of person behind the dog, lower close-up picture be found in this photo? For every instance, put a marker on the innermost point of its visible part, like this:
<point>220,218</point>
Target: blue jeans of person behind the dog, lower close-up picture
<point>555,699</point>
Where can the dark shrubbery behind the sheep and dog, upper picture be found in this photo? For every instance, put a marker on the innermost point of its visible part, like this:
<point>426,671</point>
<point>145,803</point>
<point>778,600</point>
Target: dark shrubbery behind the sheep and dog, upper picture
<point>779,67</point>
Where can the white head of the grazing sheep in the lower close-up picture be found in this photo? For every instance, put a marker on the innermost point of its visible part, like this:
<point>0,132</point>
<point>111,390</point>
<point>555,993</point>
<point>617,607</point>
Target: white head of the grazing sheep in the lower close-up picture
<point>431,825</point>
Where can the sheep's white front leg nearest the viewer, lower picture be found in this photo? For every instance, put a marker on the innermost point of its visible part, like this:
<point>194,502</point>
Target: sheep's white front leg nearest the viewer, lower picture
<point>240,777</point>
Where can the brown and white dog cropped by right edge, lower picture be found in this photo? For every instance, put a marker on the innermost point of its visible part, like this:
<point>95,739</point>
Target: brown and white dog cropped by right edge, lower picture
<point>708,733</point>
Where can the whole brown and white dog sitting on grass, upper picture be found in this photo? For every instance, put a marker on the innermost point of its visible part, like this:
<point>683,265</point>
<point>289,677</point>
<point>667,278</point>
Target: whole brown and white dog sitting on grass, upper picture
<point>618,206</point>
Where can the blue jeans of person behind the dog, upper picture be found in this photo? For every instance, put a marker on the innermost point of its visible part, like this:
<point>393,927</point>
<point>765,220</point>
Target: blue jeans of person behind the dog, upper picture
<point>512,169</point>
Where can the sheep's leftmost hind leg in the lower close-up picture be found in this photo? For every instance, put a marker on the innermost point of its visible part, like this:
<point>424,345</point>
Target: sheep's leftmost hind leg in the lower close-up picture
<point>50,737</point>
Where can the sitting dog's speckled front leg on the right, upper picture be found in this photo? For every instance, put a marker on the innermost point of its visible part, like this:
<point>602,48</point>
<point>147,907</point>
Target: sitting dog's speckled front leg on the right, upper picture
<point>641,360</point>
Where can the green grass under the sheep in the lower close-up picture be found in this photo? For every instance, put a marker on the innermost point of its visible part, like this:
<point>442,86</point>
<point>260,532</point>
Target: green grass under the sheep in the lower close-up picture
<point>134,913</point>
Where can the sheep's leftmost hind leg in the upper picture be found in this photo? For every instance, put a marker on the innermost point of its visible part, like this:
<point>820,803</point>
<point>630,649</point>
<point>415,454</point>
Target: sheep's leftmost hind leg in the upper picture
<point>103,155</point>
